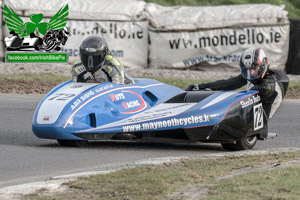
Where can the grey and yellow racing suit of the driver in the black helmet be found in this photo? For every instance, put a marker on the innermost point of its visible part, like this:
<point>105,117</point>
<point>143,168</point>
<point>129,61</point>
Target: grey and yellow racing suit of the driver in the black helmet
<point>112,70</point>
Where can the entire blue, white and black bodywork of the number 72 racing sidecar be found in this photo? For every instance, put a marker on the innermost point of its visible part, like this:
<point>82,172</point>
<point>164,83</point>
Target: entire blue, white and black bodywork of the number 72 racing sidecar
<point>100,111</point>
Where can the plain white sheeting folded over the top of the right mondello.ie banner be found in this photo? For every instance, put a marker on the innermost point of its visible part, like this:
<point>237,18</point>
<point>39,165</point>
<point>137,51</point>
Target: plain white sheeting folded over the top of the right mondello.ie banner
<point>190,18</point>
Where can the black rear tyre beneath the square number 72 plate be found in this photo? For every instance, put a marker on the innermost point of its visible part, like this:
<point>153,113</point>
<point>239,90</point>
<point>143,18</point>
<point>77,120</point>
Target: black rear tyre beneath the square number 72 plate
<point>243,144</point>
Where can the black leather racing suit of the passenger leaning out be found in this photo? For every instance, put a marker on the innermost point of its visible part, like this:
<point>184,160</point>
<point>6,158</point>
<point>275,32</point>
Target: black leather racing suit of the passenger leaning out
<point>265,86</point>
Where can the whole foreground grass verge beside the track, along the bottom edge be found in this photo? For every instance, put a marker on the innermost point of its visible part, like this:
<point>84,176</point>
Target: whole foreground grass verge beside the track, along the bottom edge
<point>164,181</point>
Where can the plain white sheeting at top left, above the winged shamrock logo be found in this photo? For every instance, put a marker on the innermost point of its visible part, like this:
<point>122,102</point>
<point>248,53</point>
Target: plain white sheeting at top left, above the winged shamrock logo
<point>112,10</point>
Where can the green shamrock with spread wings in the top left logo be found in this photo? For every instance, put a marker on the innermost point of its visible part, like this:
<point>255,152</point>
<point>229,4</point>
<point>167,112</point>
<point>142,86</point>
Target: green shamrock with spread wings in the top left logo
<point>16,24</point>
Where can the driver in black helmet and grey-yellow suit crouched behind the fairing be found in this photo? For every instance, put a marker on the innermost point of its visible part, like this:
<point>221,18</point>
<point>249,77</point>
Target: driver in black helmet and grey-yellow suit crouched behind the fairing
<point>96,65</point>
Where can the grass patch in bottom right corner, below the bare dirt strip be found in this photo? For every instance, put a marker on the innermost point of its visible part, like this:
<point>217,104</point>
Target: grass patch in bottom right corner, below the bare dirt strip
<point>276,184</point>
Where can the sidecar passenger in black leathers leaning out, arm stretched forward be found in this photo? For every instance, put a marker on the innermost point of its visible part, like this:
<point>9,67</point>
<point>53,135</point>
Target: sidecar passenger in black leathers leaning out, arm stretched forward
<point>255,73</point>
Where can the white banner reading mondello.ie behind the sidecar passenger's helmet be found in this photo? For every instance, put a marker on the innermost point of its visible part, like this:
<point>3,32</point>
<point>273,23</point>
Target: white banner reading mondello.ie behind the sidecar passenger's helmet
<point>217,46</point>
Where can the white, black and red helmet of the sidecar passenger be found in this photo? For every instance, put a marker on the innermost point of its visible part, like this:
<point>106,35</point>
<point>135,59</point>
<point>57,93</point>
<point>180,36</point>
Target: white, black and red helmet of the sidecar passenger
<point>253,64</point>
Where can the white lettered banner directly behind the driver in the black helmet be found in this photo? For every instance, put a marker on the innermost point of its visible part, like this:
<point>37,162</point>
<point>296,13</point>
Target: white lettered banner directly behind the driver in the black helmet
<point>127,41</point>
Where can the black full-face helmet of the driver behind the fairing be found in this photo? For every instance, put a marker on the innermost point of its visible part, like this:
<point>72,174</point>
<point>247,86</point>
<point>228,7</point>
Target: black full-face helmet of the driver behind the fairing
<point>92,52</point>
